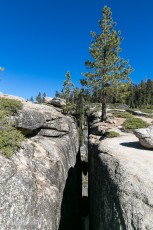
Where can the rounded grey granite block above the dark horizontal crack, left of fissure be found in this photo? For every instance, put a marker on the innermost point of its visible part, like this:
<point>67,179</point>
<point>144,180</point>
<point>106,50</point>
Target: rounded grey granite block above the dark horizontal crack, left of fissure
<point>34,117</point>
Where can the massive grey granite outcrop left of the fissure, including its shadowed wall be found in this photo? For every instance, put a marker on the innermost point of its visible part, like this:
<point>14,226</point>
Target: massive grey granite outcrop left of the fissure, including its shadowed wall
<point>41,184</point>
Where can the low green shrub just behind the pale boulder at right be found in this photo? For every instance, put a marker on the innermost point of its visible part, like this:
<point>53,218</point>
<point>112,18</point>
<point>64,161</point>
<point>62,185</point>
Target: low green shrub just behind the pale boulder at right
<point>134,123</point>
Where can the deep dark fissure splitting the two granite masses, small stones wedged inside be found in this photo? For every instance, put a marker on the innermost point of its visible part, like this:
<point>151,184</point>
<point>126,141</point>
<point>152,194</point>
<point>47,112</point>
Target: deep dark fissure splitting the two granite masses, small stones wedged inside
<point>75,203</point>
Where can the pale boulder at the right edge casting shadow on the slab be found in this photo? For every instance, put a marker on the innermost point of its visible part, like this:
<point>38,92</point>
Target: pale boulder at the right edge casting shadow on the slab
<point>145,136</point>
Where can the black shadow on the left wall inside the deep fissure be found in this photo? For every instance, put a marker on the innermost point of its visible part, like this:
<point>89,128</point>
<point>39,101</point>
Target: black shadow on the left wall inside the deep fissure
<point>71,204</point>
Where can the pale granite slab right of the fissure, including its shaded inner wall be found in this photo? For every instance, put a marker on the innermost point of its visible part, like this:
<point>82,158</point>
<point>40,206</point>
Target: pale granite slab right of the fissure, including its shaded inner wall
<point>120,184</point>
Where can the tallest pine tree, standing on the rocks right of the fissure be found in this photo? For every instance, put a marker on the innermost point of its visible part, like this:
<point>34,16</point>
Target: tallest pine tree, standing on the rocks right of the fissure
<point>108,70</point>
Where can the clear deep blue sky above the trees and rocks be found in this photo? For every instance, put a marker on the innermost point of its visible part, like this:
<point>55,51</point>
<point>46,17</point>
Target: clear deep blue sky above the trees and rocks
<point>41,39</point>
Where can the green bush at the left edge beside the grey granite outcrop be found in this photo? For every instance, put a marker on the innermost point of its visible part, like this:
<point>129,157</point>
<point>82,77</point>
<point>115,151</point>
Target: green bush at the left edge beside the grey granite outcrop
<point>10,138</point>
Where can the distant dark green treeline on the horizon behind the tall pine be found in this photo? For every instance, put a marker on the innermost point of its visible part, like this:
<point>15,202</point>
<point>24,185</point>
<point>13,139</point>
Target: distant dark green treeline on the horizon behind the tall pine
<point>138,95</point>
